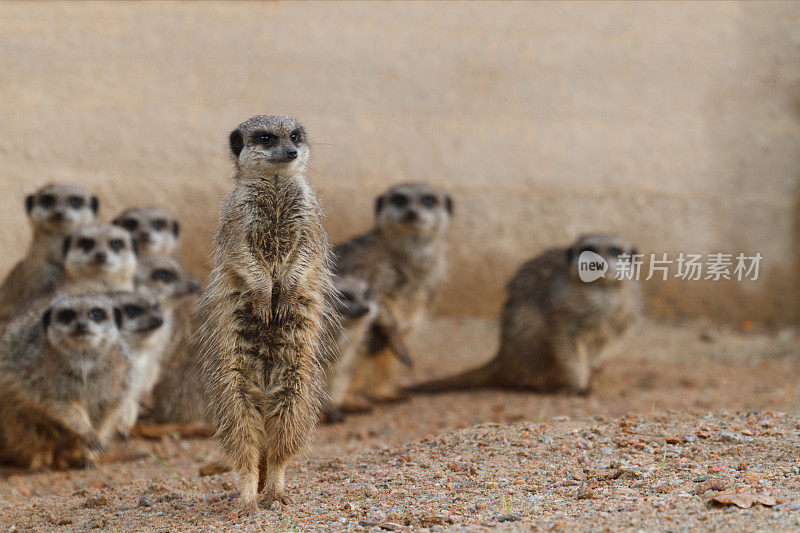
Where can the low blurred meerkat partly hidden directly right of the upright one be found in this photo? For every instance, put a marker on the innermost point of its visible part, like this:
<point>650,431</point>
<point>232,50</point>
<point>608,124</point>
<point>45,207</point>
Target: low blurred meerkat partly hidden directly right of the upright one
<point>355,302</point>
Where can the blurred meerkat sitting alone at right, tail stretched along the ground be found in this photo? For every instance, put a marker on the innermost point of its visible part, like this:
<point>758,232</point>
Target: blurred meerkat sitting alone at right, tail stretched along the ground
<point>555,327</point>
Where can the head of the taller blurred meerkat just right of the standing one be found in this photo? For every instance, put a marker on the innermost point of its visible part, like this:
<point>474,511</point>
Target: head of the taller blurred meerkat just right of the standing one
<point>414,210</point>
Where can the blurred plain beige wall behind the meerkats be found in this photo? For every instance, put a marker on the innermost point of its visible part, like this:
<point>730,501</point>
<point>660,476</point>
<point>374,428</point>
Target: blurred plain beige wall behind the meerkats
<point>675,124</point>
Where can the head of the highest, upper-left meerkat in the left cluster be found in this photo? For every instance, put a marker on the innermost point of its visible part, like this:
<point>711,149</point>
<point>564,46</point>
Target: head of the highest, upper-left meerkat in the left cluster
<point>58,209</point>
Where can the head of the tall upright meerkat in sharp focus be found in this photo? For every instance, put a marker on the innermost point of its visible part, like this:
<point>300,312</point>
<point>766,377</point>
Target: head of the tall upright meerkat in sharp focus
<point>273,144</point>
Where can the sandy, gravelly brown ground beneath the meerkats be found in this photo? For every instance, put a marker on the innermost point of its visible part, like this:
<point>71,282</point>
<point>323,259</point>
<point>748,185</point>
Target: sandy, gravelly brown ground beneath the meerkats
<point>681,413</point>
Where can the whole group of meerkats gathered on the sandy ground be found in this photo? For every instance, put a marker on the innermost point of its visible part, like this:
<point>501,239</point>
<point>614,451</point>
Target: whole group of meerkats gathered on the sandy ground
<point>100,326</point>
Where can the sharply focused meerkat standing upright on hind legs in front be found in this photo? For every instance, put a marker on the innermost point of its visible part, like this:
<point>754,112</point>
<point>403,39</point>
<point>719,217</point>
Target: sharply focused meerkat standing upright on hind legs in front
<point>267,308</point>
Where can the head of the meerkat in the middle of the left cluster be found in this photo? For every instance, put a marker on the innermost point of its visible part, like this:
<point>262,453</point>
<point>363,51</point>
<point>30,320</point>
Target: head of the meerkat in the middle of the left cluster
<point>100,252</point>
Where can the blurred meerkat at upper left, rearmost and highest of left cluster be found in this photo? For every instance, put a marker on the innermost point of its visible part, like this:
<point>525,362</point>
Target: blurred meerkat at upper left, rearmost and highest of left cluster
<point>53,211</point>
